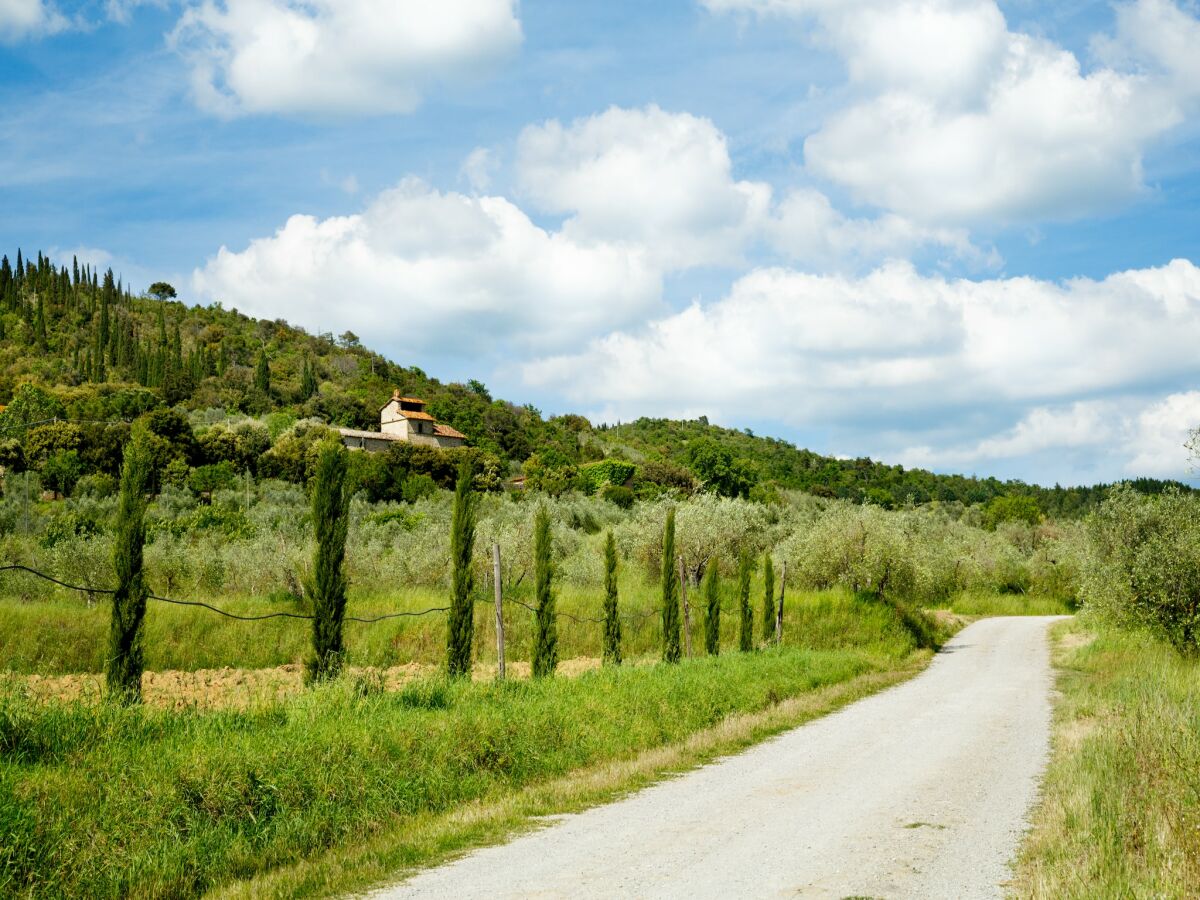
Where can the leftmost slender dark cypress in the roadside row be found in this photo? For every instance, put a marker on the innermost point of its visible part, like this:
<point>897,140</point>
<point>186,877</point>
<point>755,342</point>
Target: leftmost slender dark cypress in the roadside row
<point>125,651</point>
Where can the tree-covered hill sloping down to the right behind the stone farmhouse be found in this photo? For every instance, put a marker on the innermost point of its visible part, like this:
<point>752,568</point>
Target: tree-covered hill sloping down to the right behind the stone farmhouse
<point>107,353</point>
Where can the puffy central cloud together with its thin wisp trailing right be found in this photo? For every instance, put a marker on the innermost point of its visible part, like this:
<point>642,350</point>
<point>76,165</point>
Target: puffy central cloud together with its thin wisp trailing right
<point>665,182</point>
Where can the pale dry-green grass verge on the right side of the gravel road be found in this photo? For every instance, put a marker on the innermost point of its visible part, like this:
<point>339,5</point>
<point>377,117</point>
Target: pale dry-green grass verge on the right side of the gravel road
<point>1120,815</point>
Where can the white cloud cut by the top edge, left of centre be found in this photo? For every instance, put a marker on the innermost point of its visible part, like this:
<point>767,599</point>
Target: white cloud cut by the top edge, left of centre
<point>337,57</point>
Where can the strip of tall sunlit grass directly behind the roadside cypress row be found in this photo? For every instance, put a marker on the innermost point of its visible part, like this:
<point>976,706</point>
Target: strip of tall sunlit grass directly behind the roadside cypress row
<point>59,637</point>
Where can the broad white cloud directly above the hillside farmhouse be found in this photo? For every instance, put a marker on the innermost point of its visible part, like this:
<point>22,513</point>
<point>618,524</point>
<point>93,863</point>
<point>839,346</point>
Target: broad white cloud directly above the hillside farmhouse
<point>436,275</point>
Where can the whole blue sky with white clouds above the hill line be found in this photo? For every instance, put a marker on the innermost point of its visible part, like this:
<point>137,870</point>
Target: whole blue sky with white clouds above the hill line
<point>957,235</point>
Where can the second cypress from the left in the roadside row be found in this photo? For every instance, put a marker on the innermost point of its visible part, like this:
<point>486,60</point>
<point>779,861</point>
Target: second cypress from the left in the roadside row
<point>327,587</point>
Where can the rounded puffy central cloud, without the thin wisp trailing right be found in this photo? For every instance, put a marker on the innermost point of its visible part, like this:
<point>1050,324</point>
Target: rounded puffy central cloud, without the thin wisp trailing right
<point>647,177</point>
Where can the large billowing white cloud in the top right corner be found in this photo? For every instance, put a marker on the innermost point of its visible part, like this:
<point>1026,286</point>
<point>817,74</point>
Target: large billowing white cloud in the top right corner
<point>956,119</point>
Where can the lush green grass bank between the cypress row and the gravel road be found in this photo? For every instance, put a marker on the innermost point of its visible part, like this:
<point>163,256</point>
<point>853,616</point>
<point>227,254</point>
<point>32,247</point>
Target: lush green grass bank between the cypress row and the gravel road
<point>98,801</point>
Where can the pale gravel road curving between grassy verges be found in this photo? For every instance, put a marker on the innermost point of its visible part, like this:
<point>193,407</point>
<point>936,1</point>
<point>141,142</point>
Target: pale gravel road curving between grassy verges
<point>921,791</point>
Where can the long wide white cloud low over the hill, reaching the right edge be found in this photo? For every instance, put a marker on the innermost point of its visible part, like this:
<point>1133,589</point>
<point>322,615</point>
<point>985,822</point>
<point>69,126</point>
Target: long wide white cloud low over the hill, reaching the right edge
<point>819,352</point>
